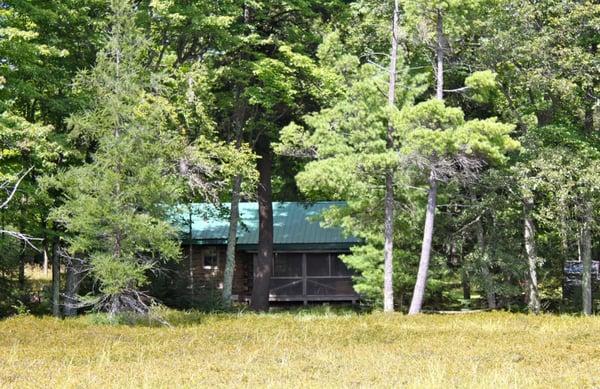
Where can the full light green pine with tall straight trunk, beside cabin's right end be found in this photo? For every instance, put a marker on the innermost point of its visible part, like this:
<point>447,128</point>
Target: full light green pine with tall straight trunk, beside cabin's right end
<point>352,148</point>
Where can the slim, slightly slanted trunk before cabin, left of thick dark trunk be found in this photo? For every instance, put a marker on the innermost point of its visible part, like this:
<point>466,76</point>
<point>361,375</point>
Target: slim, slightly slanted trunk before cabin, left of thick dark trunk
<point>231,241</point>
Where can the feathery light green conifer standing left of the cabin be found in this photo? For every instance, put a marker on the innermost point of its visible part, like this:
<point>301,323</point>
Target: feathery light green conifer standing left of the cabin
<point>115,208</point>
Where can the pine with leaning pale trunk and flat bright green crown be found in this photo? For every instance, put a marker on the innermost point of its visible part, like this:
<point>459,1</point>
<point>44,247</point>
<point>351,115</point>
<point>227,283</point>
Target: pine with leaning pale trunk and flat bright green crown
<point>441,142</point>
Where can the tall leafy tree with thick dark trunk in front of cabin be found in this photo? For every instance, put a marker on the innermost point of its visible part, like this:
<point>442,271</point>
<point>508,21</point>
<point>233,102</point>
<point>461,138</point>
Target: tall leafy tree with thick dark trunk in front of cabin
<point>260,55</point>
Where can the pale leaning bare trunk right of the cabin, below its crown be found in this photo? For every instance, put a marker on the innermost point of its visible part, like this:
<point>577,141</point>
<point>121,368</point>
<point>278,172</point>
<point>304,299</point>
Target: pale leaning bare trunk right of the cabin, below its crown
<point>419,291</point>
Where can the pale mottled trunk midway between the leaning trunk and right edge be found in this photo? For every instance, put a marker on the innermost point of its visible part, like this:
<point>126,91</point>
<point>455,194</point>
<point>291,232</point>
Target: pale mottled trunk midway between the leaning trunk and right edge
<point>530,250</point>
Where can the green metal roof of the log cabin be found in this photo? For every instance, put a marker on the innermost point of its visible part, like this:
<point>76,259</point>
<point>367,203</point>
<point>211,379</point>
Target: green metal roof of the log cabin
<point>294,224</point>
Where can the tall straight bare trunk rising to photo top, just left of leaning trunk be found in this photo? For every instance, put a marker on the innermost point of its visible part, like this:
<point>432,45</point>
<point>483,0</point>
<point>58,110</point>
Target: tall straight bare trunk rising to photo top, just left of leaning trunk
<point>388,245</point>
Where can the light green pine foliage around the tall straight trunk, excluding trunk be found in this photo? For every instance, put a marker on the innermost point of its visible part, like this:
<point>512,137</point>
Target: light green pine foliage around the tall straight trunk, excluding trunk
<point>348,157</point>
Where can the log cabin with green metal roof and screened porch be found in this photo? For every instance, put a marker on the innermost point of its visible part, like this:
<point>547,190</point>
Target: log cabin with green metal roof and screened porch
<point>306,263</point>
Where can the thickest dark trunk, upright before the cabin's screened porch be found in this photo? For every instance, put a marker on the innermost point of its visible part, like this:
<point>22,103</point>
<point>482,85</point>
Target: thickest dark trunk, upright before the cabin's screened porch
<point>264,258</point>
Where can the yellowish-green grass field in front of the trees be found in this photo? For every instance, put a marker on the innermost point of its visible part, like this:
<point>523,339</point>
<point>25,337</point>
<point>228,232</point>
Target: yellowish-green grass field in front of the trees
<point>304,349</point>
